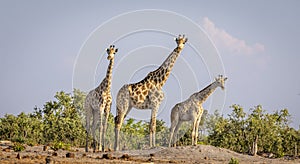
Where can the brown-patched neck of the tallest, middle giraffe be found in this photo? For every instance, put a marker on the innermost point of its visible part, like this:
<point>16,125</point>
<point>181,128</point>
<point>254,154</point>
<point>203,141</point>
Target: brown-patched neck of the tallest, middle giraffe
<point>160,75</point>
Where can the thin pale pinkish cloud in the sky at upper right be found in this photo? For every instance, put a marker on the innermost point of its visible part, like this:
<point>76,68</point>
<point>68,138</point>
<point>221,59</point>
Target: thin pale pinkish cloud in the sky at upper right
<point>228,42</point>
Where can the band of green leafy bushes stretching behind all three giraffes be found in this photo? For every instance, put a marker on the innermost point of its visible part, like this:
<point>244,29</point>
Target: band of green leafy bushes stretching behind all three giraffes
<point>60,124</point>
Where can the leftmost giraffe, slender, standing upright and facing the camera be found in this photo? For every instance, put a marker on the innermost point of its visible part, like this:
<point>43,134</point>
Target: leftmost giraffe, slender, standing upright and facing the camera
<point>98,102</point>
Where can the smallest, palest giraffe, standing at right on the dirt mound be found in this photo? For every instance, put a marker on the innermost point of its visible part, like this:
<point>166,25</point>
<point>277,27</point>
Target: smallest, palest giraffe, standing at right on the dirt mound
<point>192,110</point>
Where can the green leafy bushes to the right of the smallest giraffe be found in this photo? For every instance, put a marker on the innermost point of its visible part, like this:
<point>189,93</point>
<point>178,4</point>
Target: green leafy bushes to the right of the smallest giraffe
<point>243,133</point>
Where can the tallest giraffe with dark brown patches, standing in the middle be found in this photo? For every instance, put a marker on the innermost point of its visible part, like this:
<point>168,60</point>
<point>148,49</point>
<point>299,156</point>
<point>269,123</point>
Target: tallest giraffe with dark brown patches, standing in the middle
<point>146,94</point>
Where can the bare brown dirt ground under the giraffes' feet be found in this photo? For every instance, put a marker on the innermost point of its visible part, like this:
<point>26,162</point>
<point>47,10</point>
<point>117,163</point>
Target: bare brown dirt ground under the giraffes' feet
<point>181,154</point>
